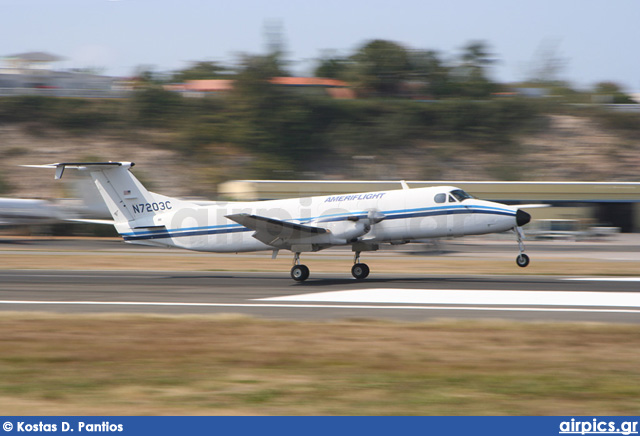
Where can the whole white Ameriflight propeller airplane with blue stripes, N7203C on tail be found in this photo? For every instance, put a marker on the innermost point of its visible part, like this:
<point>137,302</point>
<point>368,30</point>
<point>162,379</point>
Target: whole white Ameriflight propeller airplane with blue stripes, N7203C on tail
<point>361,220</point>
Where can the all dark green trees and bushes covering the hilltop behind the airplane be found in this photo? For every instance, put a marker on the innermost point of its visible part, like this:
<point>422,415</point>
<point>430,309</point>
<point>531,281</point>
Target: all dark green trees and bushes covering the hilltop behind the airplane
<point>405,97</point>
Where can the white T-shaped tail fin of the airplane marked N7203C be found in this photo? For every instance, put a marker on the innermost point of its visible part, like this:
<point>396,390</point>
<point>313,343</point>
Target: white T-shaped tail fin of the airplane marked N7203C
<point>128,201</point>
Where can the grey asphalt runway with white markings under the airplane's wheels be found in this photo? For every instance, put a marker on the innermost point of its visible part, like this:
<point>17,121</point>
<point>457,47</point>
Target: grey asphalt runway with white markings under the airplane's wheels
<point>327,296</point>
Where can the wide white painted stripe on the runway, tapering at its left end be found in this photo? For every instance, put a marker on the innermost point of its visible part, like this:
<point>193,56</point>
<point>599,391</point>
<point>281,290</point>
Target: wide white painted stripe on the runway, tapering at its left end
<point>467,297</point>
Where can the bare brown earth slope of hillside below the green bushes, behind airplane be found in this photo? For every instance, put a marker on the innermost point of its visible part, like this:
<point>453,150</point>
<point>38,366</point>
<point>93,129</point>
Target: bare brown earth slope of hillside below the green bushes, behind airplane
<point>564,148</point>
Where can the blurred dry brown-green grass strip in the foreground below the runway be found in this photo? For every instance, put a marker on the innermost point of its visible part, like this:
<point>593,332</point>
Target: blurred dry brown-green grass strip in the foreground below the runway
<point>230,365</point>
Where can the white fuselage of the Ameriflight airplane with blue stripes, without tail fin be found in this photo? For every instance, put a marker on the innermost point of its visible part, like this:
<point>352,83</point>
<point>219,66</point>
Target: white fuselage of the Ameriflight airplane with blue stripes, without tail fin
<point>375,217</point>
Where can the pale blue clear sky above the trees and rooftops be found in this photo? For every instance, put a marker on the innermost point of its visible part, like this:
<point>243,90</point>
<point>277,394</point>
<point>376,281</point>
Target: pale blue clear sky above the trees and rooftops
<point>596,40</point>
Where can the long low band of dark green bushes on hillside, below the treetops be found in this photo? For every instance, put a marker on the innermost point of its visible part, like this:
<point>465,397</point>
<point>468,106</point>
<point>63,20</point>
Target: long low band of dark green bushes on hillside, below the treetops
<point>298,129</point>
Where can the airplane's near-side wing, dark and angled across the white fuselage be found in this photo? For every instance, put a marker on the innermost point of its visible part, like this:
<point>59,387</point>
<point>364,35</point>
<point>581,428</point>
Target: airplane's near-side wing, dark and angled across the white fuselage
<point>272,231</point>
